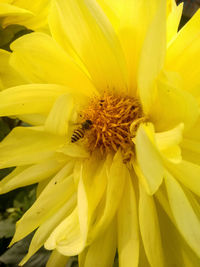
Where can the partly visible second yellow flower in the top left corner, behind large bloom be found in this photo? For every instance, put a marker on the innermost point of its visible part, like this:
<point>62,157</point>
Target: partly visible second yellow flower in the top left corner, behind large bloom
<point>32,14</point>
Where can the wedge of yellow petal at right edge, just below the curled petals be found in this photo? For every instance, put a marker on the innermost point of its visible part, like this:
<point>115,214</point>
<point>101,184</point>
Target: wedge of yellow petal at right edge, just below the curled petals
<point>188,174</point>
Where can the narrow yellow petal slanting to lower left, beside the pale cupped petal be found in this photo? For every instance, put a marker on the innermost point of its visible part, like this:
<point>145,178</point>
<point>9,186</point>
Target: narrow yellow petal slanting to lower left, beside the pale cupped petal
<point>47,227</point>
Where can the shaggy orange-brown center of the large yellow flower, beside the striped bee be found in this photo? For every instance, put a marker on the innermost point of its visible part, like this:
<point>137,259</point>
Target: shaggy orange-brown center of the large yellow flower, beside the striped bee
<point>112,116</point>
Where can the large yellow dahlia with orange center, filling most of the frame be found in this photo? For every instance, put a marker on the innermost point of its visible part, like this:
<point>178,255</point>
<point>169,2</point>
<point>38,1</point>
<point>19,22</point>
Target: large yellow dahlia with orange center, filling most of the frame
<point>114,146</point>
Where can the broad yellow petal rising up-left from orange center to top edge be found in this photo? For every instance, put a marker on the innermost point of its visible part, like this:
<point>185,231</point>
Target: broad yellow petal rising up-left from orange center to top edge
<point>85,27</point>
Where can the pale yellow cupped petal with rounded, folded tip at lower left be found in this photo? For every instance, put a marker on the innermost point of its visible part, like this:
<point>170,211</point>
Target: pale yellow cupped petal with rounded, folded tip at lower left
<point>66,237</point>
